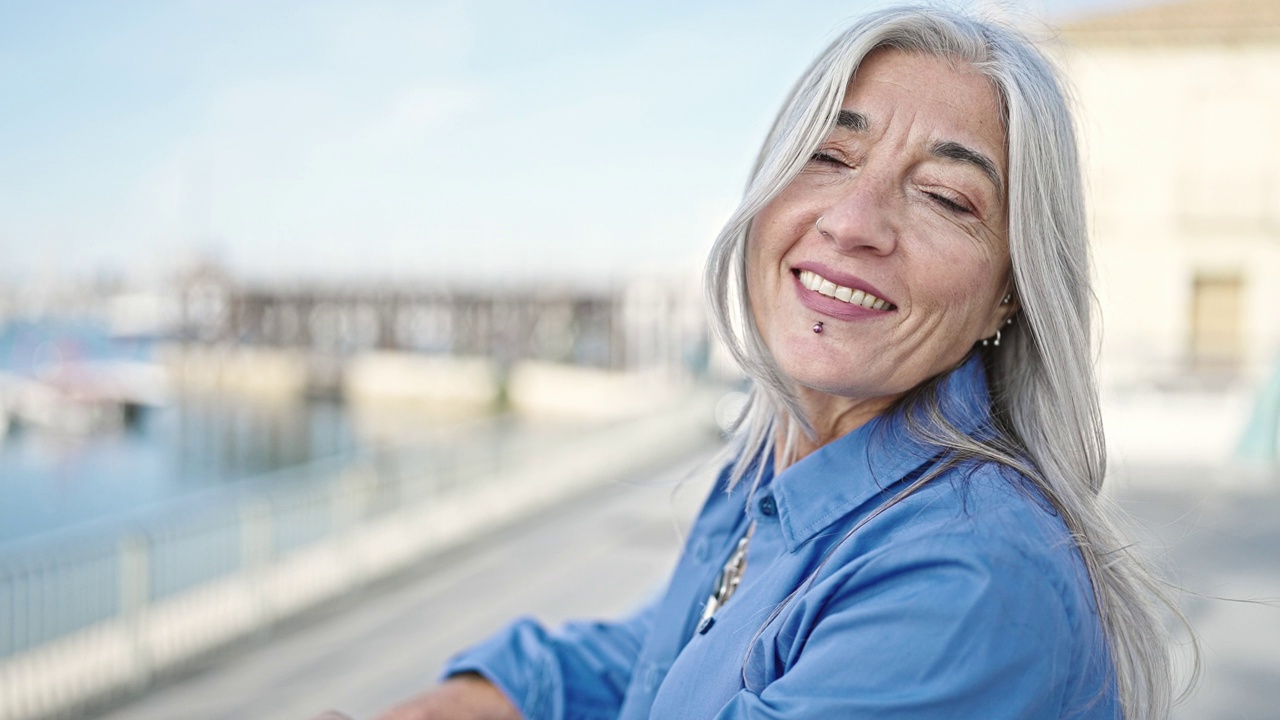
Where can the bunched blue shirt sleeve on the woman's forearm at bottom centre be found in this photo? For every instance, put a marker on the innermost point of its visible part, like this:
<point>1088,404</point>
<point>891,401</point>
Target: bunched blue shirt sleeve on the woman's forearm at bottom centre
<point>579,672</point>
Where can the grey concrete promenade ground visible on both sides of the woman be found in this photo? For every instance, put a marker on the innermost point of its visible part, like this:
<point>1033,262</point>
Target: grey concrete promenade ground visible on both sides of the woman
<point>601,554</point>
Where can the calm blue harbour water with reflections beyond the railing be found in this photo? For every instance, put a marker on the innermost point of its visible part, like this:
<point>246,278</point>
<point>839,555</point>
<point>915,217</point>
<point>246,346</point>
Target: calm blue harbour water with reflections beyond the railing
<point>199,444</point>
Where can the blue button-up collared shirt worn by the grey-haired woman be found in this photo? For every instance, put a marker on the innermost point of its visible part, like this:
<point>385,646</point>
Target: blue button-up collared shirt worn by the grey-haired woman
<point>968,599</point>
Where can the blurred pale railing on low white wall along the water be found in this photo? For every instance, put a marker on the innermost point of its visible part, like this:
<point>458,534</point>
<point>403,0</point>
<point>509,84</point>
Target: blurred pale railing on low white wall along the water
<point>85,623</point>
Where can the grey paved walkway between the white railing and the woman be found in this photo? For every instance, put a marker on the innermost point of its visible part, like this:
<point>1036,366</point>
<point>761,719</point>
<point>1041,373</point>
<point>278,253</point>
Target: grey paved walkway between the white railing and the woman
<point>596,557</point>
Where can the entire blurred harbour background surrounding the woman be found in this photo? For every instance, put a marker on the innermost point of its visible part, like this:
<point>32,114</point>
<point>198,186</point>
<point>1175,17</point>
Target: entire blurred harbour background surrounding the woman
<point>319,321</point>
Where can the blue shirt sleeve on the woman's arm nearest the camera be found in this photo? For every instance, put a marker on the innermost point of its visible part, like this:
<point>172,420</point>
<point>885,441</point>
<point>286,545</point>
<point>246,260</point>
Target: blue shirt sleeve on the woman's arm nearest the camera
<point>929,631</point>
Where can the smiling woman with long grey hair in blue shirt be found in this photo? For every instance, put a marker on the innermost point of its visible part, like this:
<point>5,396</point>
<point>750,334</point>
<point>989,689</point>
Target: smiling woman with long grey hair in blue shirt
<point>912,526</point>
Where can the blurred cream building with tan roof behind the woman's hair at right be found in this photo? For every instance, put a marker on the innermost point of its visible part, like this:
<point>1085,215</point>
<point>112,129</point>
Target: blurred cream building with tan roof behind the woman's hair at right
<point>1181,126</point>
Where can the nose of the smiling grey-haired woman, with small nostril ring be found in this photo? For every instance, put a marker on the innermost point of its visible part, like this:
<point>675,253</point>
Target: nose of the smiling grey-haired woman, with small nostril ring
<point>863,218</point>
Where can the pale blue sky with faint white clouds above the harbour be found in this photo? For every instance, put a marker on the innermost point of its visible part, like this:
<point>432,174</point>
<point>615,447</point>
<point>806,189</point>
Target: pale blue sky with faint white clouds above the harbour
<point>487,139</point>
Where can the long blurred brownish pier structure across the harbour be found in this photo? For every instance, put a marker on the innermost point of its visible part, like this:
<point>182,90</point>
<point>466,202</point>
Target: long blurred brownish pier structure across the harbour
<point>641,326</point>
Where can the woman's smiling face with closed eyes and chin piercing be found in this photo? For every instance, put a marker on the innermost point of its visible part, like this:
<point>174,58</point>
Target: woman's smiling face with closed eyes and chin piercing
<point>913,258</point>
